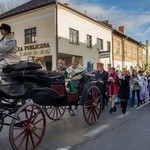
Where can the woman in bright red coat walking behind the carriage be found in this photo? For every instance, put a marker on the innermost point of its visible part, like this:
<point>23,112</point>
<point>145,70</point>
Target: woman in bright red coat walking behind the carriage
<point>112,88</point>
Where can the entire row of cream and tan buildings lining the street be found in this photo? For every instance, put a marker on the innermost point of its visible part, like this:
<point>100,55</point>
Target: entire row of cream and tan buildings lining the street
<point>51,30</point>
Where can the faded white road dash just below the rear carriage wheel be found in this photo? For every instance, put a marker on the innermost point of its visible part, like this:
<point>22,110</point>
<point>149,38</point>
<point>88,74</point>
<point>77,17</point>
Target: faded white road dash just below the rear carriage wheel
<point>96,131</point>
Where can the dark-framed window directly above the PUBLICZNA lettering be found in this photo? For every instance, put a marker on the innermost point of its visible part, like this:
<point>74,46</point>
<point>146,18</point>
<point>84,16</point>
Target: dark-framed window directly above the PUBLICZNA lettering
<point>30,35</point>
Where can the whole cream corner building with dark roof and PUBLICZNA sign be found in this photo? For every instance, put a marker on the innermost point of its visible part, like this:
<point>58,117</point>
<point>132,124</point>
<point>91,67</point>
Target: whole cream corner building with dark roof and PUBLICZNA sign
<point>52,30</point>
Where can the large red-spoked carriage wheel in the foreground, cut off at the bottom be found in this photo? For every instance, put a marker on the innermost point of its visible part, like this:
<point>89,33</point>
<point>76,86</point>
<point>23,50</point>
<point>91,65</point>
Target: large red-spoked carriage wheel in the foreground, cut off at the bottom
<point>28,127</point>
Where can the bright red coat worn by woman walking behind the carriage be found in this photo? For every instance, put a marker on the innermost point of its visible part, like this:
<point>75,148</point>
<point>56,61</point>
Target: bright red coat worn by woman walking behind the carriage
<point>112,85</point>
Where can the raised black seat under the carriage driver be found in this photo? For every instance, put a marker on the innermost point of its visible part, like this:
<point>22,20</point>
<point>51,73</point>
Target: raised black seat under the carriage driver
<point>24,65</point>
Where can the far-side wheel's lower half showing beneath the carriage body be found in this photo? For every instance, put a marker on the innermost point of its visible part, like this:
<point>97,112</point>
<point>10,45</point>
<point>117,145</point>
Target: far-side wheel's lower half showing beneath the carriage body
<point>54,112</point>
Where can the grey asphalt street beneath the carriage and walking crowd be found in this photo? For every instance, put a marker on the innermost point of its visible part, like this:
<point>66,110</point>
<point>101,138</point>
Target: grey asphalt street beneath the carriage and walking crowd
<point>113,131</point>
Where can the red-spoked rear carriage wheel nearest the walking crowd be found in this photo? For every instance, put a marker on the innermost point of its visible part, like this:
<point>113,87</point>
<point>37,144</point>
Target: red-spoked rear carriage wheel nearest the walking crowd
<point>92,108</point>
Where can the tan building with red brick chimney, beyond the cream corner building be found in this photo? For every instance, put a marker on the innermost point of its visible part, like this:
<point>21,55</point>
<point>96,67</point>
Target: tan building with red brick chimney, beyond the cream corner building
<point>127,52</point>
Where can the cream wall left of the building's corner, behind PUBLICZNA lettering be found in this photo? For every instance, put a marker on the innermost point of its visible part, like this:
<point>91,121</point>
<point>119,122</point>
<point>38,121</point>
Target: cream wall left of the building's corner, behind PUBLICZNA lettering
<point>44,21</point>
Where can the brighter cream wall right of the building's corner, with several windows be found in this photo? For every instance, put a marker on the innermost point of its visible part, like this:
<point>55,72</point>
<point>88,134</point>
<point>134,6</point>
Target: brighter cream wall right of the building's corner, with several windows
<point>68,19</point>
